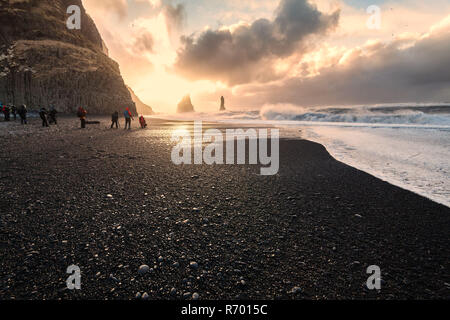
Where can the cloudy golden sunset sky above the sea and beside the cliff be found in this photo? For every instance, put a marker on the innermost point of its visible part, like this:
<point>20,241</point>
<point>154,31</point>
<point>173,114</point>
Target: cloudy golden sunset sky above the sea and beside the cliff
<point>278,52</point>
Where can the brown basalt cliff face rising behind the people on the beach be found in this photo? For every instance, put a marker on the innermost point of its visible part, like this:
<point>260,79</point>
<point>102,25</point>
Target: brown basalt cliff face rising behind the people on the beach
<point>44,63</point>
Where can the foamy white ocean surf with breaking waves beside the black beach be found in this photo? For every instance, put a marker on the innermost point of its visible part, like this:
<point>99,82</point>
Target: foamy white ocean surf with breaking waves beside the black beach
<point>407,145</point>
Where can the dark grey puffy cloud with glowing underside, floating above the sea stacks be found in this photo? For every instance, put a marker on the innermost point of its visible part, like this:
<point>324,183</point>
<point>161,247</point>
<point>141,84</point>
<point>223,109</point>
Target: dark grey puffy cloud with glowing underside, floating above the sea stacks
<point>248,52</point>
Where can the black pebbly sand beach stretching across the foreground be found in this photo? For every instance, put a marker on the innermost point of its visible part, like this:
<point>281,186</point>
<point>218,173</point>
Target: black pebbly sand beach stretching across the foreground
<point>297,229</point>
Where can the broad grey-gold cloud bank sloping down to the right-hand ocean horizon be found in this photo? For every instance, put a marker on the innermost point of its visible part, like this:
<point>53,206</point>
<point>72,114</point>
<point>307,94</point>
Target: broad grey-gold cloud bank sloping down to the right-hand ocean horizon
<point>410,68</point>
